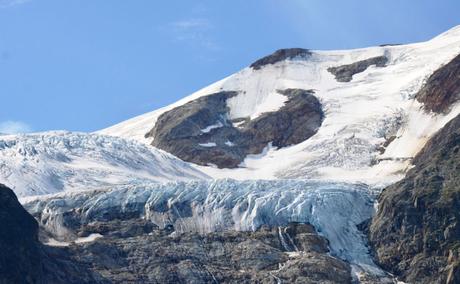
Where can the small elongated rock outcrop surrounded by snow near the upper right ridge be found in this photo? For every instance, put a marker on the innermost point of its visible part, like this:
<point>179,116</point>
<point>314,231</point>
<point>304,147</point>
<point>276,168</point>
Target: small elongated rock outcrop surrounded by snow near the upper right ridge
<point>344,73</point>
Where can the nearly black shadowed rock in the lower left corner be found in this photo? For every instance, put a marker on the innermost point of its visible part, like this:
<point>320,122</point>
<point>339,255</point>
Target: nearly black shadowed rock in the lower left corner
<point>23,259</point>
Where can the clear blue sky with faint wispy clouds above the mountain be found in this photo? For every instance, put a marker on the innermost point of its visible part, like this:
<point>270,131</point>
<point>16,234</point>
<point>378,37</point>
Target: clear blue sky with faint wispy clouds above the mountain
<point>83,65</point>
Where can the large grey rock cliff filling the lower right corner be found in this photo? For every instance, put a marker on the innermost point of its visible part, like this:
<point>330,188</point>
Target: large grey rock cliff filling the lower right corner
<point>416,231</point>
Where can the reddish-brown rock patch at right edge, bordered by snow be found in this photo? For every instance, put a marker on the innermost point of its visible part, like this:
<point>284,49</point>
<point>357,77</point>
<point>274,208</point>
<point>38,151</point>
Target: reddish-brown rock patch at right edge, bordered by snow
<point>442,88</point>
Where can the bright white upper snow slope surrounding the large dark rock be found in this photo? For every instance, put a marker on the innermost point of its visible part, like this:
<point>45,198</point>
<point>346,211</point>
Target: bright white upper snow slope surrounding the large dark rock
<point>360,115</point>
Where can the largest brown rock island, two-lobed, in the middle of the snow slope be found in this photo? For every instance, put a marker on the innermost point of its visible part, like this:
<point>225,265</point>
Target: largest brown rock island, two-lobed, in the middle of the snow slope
<point>200,131</point>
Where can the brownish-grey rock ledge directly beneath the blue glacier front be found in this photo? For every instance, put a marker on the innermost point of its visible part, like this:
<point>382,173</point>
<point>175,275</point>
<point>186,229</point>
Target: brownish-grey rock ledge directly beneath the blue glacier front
<point>289,254</point>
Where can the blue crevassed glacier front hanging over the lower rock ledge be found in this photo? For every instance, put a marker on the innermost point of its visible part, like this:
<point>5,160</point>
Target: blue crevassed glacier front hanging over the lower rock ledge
<point>335,209</point>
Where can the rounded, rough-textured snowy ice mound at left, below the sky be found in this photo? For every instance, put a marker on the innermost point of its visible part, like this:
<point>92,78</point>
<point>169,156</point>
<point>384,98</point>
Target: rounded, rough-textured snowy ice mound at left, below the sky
<point>50,162</point>
